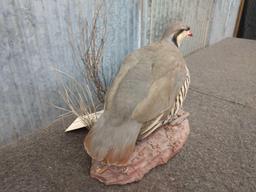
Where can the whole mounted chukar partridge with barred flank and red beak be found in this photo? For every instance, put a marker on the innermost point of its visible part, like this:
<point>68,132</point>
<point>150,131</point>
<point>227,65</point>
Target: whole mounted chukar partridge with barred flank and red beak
<point>147,92</point>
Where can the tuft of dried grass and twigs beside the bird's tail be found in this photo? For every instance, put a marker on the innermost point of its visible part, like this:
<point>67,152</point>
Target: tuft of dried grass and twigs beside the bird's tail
<point>79,95</point>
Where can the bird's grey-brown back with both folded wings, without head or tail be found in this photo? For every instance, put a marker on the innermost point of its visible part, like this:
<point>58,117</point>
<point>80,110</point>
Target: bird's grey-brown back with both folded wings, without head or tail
<point>147,83</point>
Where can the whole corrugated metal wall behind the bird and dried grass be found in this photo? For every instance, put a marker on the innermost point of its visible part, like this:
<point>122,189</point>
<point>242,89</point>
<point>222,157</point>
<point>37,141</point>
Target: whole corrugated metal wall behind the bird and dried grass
<point>34,39</point>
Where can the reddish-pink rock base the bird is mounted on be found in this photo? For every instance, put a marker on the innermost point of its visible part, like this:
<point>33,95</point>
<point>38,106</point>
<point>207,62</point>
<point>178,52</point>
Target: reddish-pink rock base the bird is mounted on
<point>155,150</point>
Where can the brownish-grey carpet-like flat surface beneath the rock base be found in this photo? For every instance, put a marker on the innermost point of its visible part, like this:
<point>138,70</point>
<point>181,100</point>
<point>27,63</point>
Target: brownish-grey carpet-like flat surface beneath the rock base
<point>220,154</point>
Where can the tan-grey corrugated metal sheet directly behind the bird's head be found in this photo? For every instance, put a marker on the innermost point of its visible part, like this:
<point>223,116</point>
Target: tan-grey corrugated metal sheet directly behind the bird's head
<point>197,14</point>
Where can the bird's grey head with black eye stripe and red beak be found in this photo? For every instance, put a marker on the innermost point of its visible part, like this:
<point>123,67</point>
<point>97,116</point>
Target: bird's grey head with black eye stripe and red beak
<point>176,33</point>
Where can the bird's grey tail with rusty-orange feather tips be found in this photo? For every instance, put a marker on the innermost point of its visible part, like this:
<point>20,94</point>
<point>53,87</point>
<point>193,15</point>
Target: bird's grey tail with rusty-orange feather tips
<point>111,142</point>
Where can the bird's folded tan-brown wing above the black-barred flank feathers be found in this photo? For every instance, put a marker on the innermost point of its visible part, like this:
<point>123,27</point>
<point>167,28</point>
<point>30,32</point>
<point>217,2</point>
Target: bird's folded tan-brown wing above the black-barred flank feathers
<point>161,95</point>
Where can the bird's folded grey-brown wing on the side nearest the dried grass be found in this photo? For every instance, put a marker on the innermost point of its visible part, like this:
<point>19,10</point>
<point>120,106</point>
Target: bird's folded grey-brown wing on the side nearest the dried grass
<point>131,84</point>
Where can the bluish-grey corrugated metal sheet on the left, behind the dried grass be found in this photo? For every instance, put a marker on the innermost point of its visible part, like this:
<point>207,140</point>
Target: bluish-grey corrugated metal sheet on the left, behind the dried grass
<point>34,39</point>
